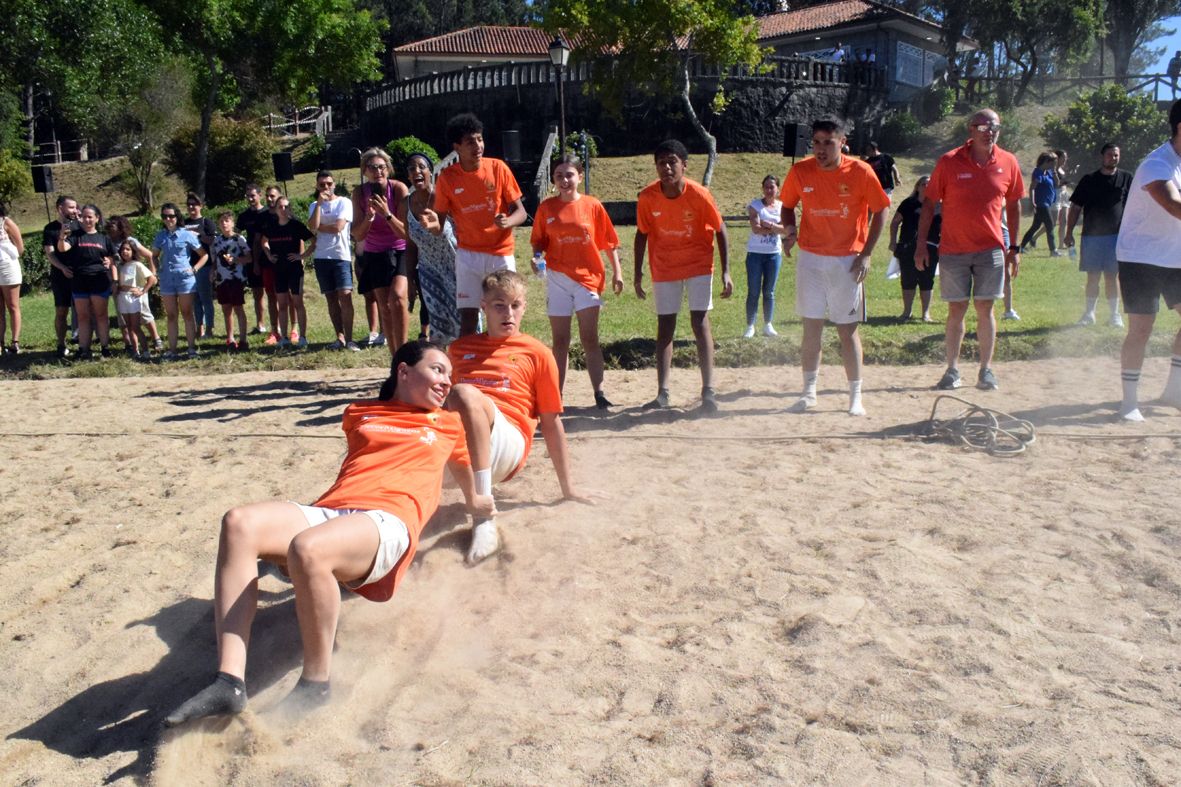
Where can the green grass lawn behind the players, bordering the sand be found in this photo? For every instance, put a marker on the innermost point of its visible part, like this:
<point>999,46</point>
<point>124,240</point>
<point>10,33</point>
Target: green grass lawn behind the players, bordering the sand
<point>1049,300</point>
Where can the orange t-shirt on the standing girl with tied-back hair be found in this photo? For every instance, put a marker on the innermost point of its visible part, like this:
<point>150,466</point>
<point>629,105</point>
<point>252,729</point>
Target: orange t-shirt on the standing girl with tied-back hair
<point>573,236</point>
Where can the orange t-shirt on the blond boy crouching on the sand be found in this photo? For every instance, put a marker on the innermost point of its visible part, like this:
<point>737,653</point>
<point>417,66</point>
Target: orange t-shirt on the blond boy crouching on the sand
<point>518,373</point>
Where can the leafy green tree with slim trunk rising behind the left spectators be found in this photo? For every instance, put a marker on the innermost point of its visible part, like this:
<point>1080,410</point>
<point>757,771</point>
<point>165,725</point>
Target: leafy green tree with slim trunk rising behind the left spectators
<point>283,49</point>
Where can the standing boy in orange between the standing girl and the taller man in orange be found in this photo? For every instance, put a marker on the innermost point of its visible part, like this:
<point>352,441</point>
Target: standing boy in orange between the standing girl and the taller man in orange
<point>678,219</point>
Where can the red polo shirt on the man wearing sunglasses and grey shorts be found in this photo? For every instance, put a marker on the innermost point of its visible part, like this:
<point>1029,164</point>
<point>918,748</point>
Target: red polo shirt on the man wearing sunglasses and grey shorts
<point>974,197</point>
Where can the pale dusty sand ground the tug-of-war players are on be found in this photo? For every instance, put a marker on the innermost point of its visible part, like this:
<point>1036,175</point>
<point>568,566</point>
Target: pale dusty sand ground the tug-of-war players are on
<point>758,599</point>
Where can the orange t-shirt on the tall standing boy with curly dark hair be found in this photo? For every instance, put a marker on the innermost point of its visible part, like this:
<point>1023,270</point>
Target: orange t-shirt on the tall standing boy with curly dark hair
<point>474,199</point>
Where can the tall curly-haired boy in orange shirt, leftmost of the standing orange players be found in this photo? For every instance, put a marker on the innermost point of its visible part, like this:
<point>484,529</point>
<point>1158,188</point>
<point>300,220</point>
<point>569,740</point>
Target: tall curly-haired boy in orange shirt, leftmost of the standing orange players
<point>484,200</point>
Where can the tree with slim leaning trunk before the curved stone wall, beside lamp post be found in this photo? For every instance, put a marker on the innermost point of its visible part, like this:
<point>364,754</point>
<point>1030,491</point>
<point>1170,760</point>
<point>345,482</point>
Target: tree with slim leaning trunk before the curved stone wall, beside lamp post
<point>651,47</point>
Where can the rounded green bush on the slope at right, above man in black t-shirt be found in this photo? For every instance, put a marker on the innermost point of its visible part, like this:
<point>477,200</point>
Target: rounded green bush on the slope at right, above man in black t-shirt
<point>1110,114</point>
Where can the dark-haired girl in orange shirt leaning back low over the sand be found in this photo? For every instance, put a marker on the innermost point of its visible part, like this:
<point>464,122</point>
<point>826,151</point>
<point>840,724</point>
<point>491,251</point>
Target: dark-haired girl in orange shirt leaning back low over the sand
<point>362,534</point>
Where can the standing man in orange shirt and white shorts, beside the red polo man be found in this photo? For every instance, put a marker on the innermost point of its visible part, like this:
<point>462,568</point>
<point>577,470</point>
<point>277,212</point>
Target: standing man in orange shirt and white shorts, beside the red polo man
<point>837,196</point>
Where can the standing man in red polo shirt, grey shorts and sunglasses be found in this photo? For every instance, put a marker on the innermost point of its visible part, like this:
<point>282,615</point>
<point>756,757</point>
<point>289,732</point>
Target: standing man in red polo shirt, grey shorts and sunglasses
<point>975,183</point>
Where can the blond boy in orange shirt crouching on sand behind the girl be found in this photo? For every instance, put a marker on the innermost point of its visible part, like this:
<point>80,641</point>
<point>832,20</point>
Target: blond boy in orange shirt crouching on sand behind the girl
<point>504,385</point>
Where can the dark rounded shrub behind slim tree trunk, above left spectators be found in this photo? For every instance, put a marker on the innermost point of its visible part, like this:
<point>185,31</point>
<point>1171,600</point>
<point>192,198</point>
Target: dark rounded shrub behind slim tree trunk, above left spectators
<point>239,153</point>
